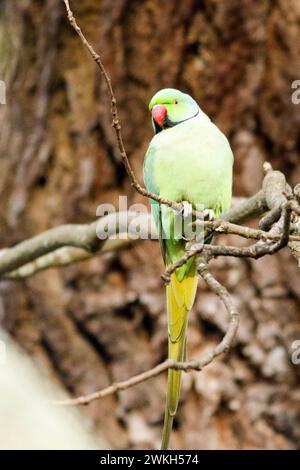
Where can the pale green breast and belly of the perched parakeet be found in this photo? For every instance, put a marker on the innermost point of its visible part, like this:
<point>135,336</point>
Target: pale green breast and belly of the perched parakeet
<point>189,162</point>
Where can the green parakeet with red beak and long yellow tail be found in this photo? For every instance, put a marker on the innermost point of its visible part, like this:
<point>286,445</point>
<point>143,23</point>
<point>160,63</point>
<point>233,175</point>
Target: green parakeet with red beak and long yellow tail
<point>188,159</point>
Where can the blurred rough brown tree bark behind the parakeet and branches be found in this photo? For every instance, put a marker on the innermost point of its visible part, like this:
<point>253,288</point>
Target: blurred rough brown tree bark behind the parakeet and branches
<point>104,319</point>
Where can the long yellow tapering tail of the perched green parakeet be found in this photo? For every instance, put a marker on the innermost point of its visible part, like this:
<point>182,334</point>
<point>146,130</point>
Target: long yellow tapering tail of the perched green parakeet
<point>180,299</point>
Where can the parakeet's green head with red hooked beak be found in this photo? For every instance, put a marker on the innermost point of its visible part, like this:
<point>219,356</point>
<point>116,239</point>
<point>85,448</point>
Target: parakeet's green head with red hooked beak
<point>170,107</point>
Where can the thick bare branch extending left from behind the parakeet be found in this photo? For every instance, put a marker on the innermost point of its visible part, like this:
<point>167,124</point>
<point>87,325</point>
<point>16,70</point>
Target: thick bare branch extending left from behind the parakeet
<point>93,238</point>
